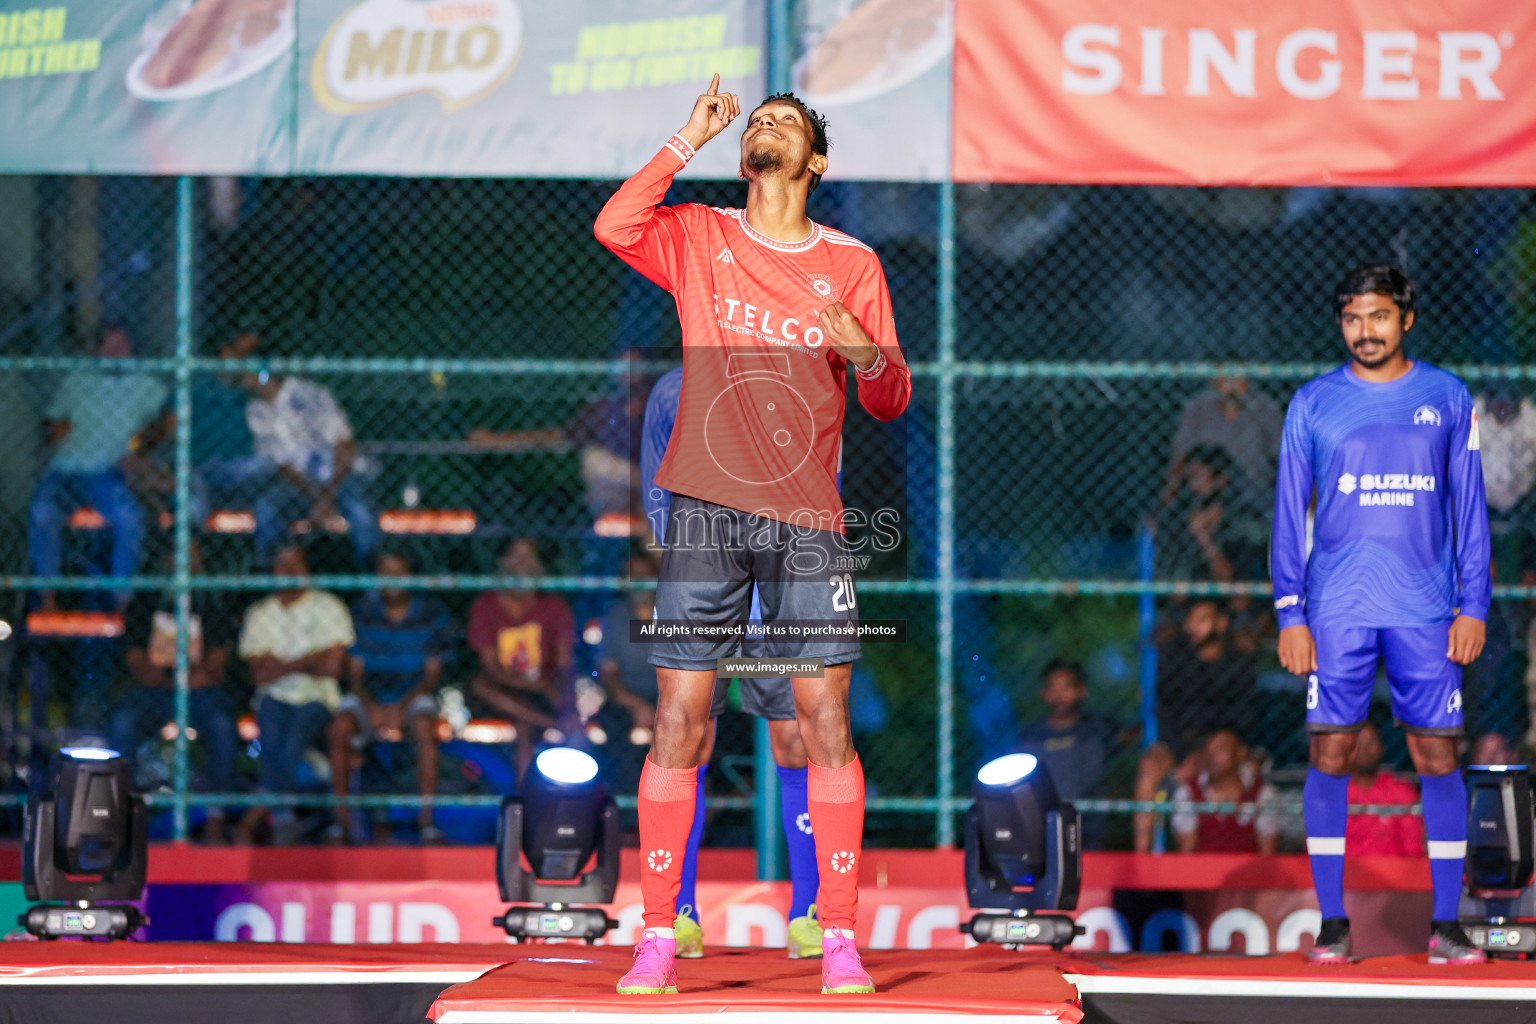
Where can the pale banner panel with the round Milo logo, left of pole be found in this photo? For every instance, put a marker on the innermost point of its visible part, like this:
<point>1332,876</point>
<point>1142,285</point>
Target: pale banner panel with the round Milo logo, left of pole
<point>515,87</point>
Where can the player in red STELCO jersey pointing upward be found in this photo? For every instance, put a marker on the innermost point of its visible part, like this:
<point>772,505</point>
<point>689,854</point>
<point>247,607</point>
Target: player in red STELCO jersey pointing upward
<point>775,311</point>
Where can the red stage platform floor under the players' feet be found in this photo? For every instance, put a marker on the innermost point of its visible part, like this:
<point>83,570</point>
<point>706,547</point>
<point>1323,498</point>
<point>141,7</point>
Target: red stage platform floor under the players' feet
<point>291,983</point>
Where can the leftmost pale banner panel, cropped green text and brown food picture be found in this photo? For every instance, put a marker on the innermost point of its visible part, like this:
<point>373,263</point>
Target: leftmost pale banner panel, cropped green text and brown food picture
<point>147,87</point>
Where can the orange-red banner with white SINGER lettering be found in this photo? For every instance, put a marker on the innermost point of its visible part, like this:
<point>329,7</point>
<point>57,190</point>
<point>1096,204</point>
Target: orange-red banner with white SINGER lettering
<point>1246,93</point>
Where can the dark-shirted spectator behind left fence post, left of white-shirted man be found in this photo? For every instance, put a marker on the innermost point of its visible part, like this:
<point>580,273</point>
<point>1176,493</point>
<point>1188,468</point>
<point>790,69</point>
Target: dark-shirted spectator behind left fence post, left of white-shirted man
<point>151,636</point>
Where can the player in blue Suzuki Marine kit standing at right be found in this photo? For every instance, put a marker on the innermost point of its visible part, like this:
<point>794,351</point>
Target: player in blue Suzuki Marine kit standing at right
<point>1399,573</point>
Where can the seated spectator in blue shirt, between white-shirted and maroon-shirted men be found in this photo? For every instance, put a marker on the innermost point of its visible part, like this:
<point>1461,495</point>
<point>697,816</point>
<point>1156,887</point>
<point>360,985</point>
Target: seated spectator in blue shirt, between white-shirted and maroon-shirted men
<point>396,667</point>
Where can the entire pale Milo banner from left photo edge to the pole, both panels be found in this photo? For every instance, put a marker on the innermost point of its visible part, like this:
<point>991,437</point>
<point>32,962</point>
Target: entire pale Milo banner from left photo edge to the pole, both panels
<point>380,87</point>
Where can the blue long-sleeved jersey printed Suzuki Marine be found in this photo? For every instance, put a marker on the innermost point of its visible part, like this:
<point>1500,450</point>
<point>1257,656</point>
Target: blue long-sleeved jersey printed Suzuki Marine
<point>1402,530</point>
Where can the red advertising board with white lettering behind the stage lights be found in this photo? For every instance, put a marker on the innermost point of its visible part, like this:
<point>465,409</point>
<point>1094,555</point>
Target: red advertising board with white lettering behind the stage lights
<point>909,899</point>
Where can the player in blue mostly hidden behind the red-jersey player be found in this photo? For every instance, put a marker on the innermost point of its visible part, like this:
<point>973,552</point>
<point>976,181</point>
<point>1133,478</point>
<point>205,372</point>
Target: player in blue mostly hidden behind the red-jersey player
<point>772,699</point>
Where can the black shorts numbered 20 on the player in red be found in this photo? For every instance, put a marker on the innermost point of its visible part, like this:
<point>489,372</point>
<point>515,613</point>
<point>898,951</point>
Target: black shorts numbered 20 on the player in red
<point>712,560</point>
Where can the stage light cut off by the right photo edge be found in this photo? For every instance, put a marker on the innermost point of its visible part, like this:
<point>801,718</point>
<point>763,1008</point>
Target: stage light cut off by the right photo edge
<point>1498,907</point>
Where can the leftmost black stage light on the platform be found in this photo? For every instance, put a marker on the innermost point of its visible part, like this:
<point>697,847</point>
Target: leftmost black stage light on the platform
<point>85,841</point>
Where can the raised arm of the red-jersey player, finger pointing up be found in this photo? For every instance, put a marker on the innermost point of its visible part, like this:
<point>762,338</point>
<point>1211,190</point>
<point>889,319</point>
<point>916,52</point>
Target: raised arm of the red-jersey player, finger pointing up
<point>634,225</point>
